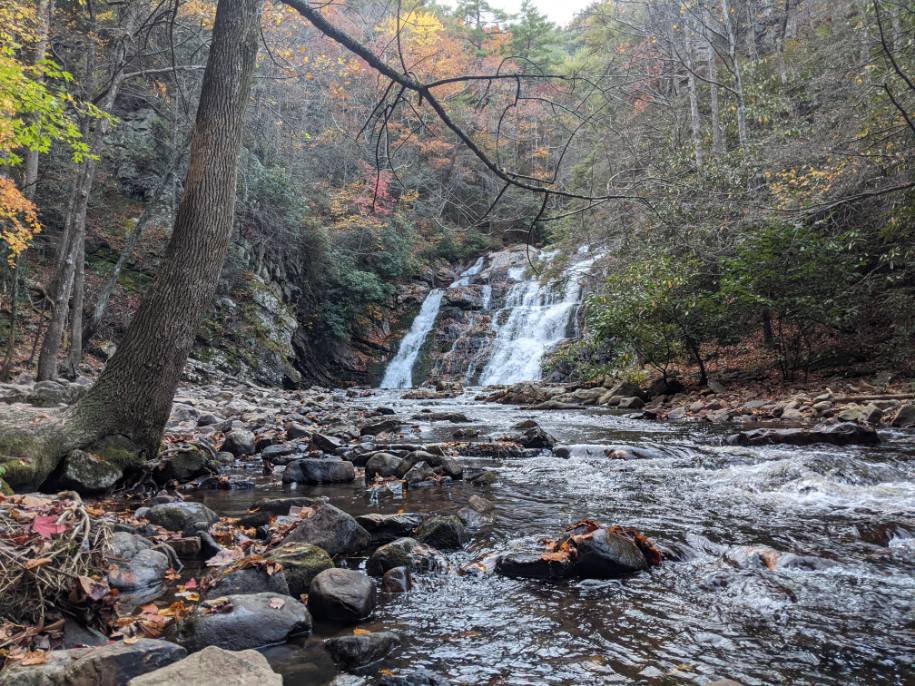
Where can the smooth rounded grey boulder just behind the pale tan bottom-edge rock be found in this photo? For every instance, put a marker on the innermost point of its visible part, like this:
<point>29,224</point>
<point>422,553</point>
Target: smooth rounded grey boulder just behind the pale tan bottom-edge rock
<point>250,621</point>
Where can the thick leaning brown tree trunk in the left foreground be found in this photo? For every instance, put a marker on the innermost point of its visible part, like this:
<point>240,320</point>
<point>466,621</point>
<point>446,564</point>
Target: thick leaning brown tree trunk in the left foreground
<point>133,396</point>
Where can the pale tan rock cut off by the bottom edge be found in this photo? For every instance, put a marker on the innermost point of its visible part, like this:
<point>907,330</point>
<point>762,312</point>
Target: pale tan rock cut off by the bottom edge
<point>214,666</point>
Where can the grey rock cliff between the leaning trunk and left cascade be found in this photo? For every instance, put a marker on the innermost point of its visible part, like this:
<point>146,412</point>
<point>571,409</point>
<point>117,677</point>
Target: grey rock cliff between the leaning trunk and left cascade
<point>266,328</point>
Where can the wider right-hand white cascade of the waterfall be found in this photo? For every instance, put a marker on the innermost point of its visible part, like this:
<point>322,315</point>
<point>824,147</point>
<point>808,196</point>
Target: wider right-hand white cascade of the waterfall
<point>534,319</point>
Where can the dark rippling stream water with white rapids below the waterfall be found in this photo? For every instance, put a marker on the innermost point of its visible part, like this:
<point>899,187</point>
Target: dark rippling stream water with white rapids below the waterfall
<point>712,609</point>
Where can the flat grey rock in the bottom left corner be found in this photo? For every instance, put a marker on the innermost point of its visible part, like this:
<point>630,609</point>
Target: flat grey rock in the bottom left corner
<point>109,665</point>
